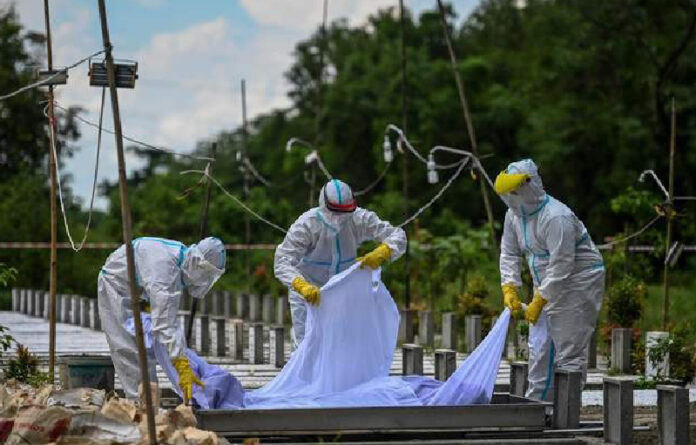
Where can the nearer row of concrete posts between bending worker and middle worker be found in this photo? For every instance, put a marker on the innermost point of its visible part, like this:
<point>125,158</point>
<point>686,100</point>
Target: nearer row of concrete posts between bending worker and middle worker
<point>229,336</point>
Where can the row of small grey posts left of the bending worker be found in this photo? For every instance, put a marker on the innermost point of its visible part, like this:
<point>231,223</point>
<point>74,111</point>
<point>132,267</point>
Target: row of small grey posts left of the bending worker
<point>74,309</point>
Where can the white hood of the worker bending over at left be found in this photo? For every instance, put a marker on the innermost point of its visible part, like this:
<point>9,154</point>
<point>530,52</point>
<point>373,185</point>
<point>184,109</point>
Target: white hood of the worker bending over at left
<point>203,265</point>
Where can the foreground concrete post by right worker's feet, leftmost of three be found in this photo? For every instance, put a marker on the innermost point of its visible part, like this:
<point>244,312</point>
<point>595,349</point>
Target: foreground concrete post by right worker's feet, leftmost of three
<point>567,399</point>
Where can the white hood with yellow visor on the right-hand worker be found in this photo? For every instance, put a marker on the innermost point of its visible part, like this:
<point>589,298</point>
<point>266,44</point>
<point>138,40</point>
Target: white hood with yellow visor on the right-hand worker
<point>530,196</point>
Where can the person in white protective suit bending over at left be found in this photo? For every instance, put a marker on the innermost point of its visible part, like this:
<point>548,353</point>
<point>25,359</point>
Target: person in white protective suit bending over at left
<point>163,269</point>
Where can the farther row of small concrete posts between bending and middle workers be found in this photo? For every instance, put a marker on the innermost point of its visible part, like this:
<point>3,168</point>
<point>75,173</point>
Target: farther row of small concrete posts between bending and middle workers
<point>248,307</point>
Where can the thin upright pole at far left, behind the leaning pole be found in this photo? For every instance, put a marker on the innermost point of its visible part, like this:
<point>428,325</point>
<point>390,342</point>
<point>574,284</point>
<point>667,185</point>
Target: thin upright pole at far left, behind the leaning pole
<point>53,280</point>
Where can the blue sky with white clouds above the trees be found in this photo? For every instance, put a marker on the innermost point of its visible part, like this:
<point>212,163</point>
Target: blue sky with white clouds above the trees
<point>192,56</point>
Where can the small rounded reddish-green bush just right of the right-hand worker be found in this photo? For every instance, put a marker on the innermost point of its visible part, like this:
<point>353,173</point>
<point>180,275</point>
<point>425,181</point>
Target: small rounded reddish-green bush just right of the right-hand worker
<point>624,302</point>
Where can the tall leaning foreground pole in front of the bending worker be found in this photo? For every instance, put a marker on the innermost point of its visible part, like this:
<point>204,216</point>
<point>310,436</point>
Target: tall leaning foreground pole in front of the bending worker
<point>127,231</point>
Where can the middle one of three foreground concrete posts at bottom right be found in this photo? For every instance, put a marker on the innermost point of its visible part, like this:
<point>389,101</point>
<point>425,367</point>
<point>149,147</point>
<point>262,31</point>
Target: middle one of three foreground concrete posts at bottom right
<point>618,410</point>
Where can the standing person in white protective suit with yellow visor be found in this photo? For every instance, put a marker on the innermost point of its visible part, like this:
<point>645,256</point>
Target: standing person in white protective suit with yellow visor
<point>567,270</point>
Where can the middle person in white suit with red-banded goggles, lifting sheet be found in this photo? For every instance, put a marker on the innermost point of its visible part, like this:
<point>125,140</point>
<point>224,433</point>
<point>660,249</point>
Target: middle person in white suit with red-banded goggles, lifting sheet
<point>324,242</point>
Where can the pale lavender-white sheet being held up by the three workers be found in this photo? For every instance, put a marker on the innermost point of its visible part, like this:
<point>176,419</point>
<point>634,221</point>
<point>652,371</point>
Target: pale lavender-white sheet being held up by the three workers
<point>345,358</point>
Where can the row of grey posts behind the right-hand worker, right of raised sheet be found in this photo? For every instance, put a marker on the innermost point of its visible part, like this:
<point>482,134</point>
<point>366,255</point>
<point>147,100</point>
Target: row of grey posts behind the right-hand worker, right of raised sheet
<point>449,336</point>
